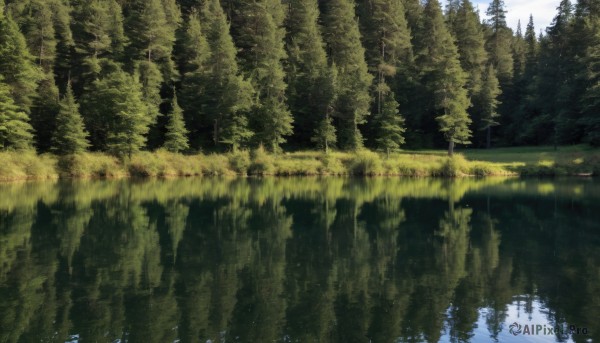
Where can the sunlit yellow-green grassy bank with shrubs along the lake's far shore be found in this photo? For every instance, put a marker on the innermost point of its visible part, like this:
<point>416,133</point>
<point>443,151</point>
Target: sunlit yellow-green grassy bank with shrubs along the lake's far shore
<point>515,161</point>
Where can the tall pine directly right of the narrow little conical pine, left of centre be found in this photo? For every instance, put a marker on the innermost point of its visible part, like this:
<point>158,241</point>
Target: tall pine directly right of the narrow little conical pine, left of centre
<point>229,98</point>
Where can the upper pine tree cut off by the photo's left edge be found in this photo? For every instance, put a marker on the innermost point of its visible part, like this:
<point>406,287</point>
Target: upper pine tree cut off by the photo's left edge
<point>16,63</point>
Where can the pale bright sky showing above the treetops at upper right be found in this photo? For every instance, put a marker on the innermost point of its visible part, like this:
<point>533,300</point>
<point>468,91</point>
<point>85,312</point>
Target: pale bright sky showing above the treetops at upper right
<point>543,12</point>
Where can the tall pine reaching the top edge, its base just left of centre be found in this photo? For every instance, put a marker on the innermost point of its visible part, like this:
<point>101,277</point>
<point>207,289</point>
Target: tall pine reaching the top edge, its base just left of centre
<point>260,38</point>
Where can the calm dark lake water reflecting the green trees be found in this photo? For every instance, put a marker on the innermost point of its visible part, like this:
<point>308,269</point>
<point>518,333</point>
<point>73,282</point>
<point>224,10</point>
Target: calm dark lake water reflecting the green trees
<point>300,260</point>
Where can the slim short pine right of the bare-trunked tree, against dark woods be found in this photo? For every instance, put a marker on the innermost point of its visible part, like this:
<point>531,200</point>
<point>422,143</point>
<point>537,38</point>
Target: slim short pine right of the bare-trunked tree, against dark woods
<point>490,92</point>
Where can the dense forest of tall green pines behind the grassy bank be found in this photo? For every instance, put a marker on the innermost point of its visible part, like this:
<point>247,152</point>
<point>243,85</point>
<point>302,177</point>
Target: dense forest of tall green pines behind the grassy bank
<point>120,76</point>
